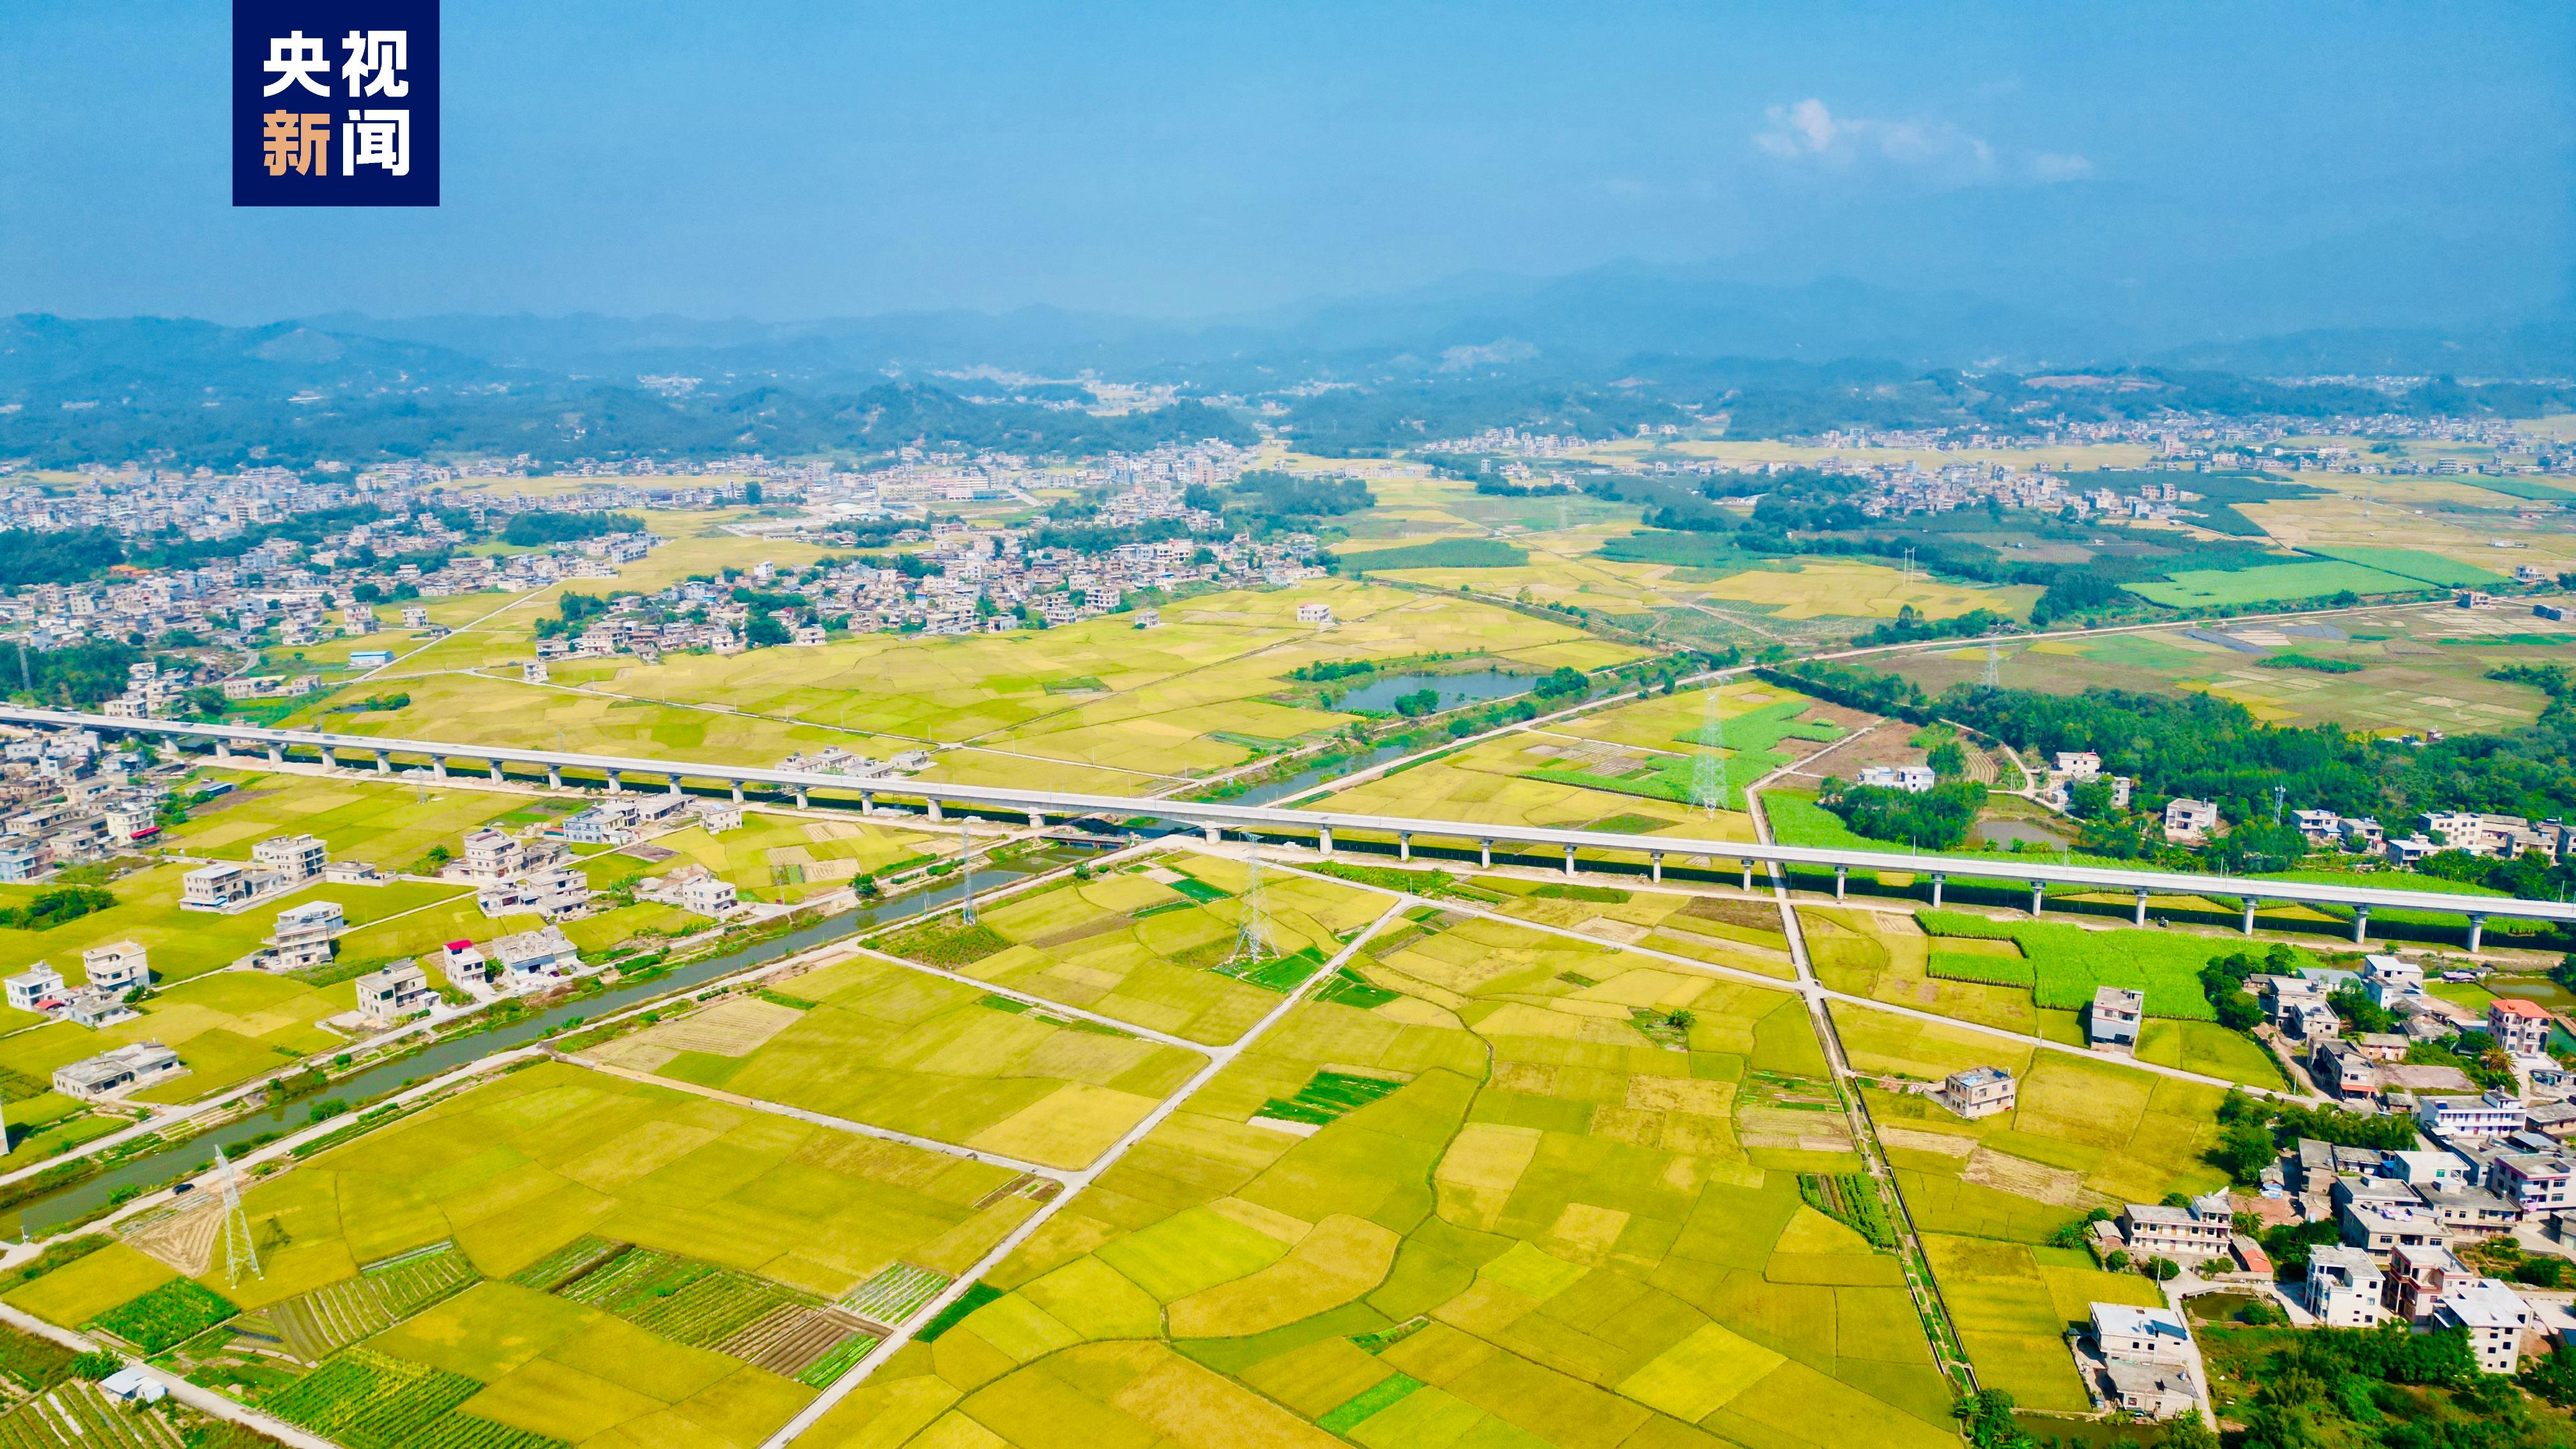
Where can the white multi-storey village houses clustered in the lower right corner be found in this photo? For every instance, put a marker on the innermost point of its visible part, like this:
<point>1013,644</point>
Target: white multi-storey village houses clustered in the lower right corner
<point>2485,1164</point>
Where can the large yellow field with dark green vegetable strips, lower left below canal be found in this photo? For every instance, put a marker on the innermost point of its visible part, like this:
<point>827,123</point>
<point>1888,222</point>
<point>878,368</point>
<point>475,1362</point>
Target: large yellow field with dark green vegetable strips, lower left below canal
<point>393,1262</point>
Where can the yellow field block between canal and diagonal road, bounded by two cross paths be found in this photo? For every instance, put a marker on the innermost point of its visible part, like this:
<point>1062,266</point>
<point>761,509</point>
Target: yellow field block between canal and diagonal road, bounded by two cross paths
<point>918,1053</point>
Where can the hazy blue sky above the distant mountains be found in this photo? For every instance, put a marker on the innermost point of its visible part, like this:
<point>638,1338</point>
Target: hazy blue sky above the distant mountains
<point>1184,161</point>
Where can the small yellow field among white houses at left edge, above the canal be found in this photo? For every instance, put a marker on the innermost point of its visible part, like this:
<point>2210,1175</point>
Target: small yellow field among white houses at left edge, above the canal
<point>225,1027</point>
